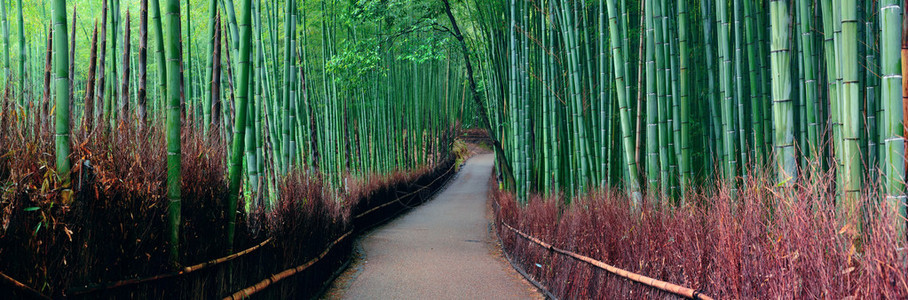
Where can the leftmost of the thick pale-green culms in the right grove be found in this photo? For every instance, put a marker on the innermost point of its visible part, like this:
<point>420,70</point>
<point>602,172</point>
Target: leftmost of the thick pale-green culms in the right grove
<point>782,105</point>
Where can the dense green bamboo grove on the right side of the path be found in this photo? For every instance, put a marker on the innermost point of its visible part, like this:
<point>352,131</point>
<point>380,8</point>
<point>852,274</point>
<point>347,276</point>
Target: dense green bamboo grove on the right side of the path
<point>666,97</point>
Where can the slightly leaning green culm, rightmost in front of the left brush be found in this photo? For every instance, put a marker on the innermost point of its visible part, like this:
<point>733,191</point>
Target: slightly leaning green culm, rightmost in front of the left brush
<point>235,170</point>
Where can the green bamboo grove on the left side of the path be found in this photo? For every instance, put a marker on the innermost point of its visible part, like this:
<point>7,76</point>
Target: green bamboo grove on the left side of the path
<point>318,87</point>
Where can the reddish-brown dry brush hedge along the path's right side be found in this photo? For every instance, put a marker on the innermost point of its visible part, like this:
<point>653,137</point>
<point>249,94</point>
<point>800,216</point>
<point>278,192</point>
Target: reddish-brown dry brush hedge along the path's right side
<point>761,244</point>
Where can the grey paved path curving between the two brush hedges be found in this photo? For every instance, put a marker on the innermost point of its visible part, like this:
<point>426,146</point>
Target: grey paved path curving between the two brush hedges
<point>441,250</point>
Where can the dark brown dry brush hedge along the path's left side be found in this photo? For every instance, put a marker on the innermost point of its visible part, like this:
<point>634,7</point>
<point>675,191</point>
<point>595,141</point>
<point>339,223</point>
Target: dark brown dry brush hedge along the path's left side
<point>113,229</point>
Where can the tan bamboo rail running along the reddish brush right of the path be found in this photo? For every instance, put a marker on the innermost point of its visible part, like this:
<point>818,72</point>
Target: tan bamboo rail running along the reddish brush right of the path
<point>644,280</point>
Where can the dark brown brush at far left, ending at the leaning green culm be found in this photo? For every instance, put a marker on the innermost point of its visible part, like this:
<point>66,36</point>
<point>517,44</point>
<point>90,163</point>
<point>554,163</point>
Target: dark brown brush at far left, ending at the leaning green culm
<point>109,231</point>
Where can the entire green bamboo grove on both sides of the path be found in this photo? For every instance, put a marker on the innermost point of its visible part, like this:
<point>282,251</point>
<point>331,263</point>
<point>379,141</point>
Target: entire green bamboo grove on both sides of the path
<point>661,99</point>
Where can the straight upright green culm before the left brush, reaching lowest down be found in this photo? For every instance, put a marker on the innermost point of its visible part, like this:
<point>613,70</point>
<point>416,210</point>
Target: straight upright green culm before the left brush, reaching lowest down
<point>172,19</point>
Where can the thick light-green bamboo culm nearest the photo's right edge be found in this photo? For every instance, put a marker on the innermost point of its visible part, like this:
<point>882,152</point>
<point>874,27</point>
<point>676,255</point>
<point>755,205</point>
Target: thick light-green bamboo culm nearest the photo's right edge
<point>890,99</point>
